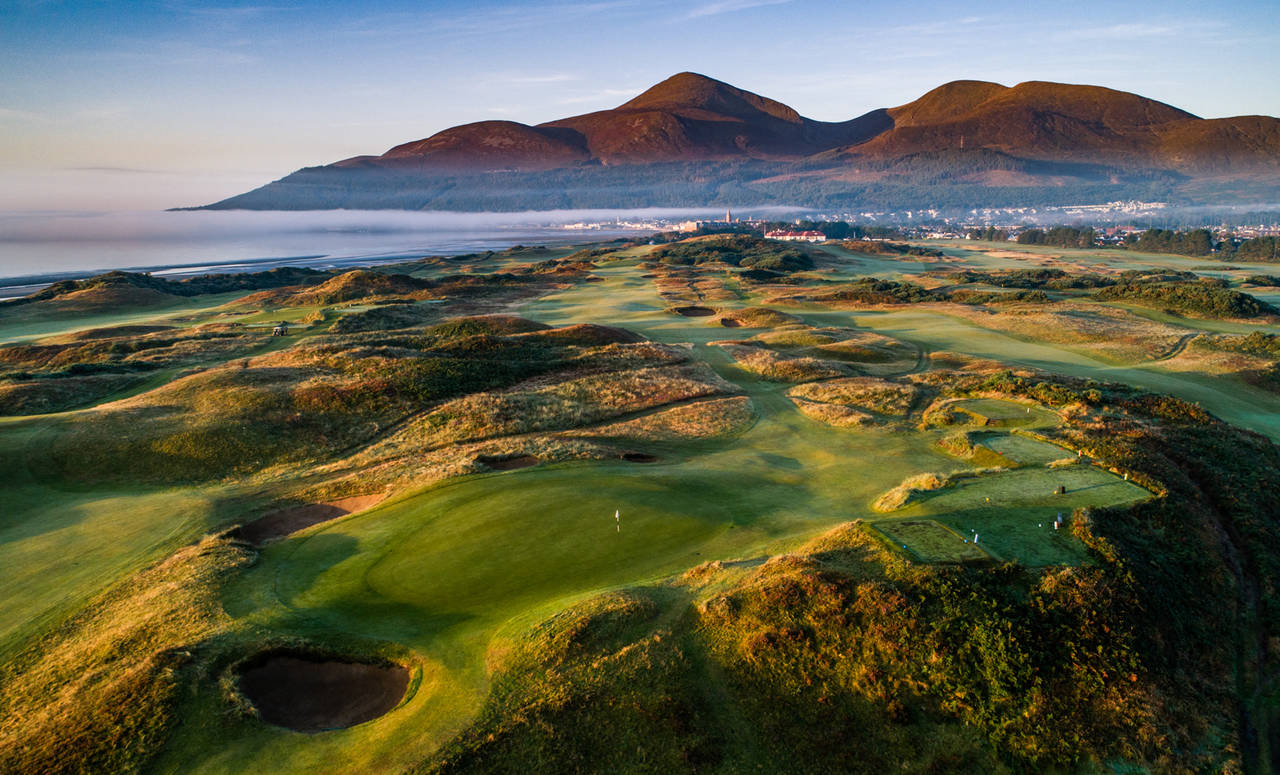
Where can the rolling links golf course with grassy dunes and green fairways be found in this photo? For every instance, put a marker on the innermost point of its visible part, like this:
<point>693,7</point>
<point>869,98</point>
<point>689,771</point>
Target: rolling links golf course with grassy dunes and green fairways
<point>707,505</point>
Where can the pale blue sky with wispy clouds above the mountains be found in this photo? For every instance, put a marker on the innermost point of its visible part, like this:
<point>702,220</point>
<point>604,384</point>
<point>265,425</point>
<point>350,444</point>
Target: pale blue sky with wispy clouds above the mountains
<point>150,104</point>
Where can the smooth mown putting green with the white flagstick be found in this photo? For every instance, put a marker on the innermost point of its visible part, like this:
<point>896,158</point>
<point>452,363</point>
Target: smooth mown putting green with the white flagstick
<point>496,545</point>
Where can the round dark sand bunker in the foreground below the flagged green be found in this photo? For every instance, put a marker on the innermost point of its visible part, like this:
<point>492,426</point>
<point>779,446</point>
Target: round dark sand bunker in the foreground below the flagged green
<point>316,695</point>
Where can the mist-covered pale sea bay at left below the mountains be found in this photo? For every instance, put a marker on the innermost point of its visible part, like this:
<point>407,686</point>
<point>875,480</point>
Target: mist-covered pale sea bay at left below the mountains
<point>35,247</point>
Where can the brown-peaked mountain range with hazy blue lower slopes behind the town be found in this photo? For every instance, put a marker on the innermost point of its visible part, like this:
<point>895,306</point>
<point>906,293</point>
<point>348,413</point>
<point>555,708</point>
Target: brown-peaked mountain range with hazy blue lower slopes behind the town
<point>692,140</point>
